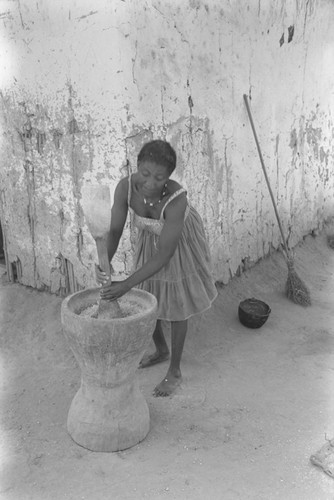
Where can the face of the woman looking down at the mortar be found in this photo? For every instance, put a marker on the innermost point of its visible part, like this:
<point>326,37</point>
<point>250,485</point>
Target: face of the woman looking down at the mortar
<point>152,178</point>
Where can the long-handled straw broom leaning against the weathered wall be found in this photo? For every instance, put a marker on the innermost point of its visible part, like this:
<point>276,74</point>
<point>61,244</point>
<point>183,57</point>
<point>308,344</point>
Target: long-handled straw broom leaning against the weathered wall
<point>295,288</point>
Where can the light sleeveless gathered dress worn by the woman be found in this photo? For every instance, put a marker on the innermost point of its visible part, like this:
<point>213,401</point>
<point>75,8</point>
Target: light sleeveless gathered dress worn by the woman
<point>185,285</point>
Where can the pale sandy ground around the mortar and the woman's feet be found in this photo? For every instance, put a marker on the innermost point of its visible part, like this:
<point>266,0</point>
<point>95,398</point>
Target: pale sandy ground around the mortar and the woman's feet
<point>254,405</point>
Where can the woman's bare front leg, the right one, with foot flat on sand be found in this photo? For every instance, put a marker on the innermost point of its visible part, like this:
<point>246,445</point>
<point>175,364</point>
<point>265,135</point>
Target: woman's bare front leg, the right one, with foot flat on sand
<point>173,377</point>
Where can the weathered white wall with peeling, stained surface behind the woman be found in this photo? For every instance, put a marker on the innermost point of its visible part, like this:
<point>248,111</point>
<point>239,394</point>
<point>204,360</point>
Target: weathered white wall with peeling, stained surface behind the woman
<point>85,83</point>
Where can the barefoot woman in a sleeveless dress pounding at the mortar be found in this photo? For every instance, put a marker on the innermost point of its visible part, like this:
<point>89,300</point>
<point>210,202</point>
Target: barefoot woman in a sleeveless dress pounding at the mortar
<point>172,258</point>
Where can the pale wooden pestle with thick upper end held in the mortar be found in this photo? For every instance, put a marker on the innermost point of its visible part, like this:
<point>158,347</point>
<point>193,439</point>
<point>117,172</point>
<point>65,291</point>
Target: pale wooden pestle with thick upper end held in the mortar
<point>97,210</point>
